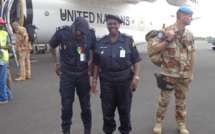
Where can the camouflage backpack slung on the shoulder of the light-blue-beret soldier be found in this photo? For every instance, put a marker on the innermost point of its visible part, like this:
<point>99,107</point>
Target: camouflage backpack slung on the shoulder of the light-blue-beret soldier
<point>155,58</point>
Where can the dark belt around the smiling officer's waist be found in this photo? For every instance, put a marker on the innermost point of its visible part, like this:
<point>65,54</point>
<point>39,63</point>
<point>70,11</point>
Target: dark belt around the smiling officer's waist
<point>118,74</point>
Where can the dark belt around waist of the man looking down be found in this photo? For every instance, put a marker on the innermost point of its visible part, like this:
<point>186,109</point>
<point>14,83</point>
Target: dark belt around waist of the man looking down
<point>74,68</point>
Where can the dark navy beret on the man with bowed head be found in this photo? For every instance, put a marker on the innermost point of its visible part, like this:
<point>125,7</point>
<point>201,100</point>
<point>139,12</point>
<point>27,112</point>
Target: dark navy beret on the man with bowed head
<point>81,25</point>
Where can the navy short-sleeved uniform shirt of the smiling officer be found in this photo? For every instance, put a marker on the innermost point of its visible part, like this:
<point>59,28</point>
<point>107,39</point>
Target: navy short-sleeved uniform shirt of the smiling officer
<point>109,55</point>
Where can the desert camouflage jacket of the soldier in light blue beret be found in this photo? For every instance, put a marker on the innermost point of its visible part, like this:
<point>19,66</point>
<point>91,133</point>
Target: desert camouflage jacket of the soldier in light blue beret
<point>177,54</point>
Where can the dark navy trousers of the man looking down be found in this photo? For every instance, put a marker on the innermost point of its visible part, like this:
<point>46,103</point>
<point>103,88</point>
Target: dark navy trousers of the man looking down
<point>68,84</point>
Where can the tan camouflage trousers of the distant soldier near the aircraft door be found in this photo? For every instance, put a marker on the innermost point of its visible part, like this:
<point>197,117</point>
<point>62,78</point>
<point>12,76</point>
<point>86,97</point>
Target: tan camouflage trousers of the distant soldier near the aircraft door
<point>24,63</point>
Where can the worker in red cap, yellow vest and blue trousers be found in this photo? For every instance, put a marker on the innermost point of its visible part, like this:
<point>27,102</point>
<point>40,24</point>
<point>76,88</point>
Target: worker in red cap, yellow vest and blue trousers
<point>5,45</point>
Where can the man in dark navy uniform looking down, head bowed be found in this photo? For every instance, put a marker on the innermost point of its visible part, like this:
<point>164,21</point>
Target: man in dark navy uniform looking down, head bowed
<point>76,43</point>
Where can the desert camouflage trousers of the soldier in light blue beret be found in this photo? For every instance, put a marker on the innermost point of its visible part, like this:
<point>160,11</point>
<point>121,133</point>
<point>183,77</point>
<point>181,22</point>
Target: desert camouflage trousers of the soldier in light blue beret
<point>180,89</point>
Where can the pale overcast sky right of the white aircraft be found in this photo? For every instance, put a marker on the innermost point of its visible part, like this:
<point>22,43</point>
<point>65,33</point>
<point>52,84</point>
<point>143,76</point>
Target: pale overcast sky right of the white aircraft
<point>205,26</point>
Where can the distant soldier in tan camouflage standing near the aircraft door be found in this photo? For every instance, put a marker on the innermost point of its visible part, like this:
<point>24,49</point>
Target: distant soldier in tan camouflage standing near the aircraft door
<point>23,47</point>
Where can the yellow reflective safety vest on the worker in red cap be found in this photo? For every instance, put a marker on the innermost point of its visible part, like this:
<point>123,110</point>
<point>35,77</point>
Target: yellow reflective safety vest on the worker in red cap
<point>3,42</point>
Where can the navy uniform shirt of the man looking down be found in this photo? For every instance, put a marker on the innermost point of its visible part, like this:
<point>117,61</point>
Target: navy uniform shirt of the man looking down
<point>70,48</point>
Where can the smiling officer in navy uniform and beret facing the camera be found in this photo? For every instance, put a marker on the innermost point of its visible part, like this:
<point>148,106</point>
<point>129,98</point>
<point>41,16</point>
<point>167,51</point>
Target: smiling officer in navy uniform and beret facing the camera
<point>113,58</point>
